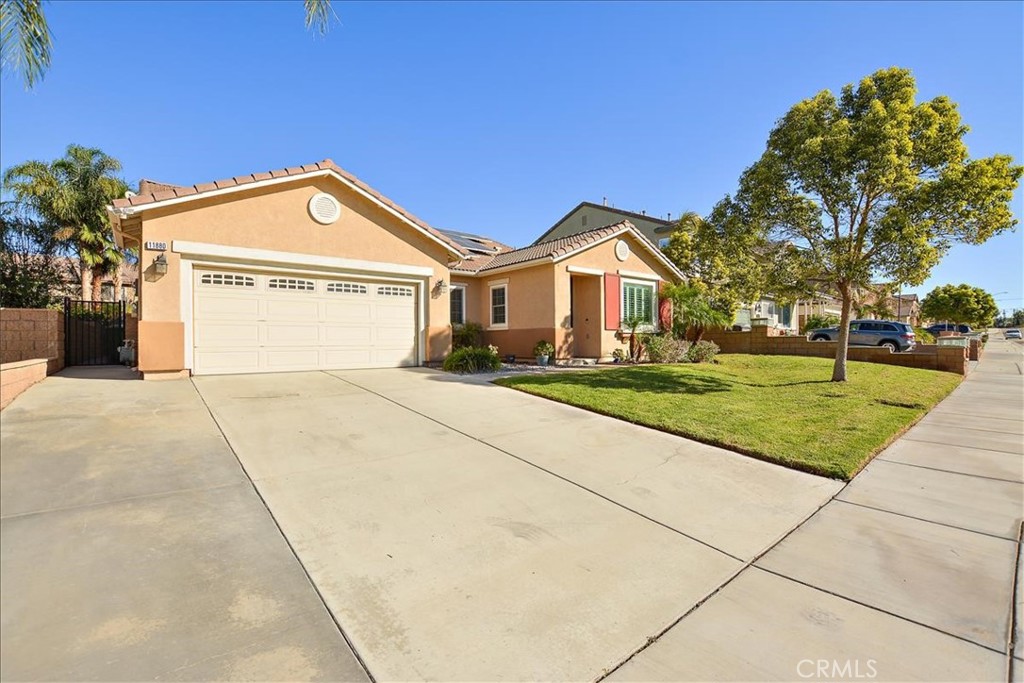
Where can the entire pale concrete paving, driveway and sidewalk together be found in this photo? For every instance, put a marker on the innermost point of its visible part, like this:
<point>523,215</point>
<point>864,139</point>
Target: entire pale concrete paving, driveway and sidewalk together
<point>412,526</point>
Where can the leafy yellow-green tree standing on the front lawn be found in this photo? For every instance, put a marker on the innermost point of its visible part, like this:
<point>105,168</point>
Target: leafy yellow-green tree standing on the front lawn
<point>873,186</point>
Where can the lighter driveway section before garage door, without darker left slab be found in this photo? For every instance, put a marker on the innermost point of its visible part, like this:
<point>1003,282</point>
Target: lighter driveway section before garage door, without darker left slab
<point>460,531</point>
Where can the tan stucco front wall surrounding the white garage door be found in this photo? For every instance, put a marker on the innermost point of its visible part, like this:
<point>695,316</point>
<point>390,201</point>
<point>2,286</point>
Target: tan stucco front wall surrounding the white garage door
<point>276,219</point>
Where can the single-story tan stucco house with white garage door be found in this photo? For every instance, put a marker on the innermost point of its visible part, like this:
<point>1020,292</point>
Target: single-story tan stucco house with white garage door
<point>310,269</point>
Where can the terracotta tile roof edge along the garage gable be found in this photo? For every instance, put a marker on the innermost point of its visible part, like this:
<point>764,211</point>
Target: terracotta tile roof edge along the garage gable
<point>162,192</point>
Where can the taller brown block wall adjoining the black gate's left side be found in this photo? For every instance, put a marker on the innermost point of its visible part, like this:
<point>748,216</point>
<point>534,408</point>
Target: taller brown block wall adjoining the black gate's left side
<point>32,333</point>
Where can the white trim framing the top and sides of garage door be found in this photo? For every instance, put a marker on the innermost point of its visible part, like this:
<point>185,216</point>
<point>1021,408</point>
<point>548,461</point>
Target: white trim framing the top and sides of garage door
<point>297,264</point>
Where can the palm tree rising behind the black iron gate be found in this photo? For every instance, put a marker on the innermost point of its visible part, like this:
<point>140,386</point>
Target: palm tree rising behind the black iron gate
<point>72,193</point>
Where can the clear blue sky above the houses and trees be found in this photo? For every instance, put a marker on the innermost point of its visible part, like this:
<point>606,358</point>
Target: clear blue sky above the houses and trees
<point>500,118</point>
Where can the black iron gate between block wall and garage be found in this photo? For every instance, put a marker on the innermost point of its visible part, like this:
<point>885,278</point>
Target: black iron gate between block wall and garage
<point>94,331</point>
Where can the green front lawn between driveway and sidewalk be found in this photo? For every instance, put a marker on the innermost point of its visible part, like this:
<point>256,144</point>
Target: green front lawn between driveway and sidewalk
<point>781,409</point>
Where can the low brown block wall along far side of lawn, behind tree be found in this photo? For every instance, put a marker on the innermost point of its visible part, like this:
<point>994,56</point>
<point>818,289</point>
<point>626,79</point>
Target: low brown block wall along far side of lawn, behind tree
<point>767,341</point>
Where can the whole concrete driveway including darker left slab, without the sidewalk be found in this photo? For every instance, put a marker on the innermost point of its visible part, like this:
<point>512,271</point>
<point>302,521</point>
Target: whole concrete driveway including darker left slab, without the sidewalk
<point>452,531</point>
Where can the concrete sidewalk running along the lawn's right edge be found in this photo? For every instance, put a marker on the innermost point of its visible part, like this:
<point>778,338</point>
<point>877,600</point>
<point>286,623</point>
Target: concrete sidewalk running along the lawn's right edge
<point>908,575</point>
